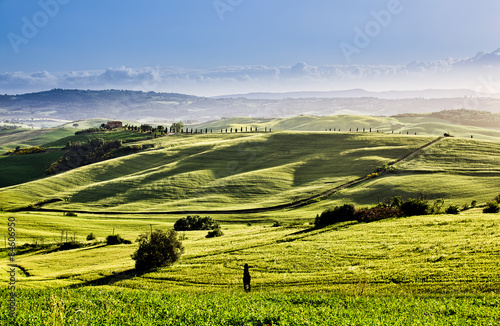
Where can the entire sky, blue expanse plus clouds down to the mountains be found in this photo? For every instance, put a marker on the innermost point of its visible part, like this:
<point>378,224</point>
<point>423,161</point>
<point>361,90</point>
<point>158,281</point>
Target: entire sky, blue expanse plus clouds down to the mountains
<point>210,47</point>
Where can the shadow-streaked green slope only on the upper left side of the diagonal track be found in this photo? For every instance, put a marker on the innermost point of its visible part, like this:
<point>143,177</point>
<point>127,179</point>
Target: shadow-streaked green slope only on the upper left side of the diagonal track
<point>219,171</point>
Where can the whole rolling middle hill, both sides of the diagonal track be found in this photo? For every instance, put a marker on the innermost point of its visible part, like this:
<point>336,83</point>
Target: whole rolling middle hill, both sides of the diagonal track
<point>252,170</point>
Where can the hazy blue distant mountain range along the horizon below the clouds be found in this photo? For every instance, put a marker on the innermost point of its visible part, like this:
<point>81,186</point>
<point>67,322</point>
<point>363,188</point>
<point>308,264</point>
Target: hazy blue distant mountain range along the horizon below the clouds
<point>74,105</point>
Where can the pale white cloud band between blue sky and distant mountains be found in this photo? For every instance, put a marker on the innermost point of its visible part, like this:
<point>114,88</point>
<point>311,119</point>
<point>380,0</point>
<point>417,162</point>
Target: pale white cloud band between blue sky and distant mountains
<point>480,72</point>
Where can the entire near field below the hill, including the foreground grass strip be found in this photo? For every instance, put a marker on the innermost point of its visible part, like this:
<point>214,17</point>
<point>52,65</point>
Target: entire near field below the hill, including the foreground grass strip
<point>436,270</point>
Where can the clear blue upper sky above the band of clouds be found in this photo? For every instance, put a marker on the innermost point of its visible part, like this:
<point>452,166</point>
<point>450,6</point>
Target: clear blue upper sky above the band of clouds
<point>94,35</point>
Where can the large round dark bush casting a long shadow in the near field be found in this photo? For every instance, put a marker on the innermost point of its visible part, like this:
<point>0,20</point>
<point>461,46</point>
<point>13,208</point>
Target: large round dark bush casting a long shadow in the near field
<point>157,249</point>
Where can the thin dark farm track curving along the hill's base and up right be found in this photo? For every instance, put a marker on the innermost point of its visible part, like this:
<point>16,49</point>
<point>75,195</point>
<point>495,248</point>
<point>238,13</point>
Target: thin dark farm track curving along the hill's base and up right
<point>296,204</point>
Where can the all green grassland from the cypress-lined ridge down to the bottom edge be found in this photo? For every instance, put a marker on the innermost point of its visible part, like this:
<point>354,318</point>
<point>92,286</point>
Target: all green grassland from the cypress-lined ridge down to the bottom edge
<point>421,270</point>
